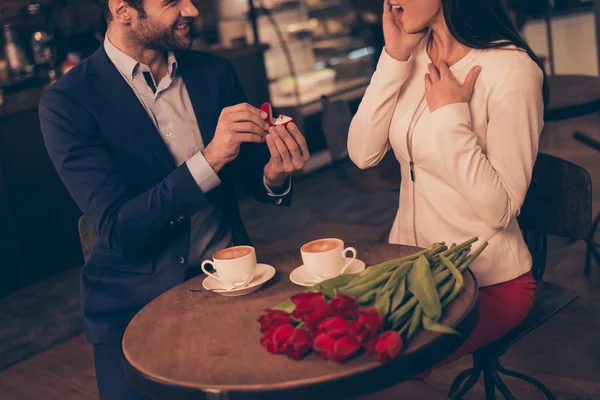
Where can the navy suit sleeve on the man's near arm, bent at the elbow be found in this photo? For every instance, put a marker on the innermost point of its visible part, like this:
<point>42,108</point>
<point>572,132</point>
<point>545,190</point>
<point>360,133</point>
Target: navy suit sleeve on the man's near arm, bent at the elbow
<point>125,222</point>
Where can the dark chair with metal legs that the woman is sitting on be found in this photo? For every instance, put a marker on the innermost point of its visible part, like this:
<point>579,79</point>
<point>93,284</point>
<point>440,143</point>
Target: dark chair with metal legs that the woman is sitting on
<point>559,203</point>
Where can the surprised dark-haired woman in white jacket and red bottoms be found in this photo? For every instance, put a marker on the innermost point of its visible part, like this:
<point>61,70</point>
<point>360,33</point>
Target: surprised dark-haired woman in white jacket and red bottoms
<point>459,98</point>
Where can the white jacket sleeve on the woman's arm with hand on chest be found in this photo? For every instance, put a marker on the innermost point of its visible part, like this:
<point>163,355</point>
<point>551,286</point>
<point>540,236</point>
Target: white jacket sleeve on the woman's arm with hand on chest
<point>494,180</point>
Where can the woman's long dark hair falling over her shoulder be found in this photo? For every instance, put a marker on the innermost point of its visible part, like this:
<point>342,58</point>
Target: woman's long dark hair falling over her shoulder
<point>485,24</point>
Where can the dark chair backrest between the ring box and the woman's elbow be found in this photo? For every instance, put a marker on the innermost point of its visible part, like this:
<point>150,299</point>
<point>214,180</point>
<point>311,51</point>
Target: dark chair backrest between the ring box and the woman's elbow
<point>335,122</point>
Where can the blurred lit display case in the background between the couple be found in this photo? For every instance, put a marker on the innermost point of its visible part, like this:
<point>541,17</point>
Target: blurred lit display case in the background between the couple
<point>316,47</point>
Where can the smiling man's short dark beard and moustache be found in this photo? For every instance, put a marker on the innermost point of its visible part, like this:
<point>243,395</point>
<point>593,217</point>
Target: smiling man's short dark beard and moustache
<point>153,36</point>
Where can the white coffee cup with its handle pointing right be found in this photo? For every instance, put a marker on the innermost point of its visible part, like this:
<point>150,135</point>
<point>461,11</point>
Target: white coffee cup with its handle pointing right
<point>326,258</point>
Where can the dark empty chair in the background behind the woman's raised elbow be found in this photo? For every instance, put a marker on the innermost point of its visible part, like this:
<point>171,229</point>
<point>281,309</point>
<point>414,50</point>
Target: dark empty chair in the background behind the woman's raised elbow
<point>335,123</point>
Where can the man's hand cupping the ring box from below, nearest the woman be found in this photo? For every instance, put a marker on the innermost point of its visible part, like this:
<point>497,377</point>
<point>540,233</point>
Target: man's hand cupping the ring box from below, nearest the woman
<point>289,153</point>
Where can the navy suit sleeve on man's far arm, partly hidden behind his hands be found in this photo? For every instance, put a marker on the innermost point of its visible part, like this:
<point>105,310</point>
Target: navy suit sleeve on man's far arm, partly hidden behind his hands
<point>254,156</point>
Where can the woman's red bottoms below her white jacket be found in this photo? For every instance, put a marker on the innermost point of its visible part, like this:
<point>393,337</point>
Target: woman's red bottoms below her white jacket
<point>502,308</point>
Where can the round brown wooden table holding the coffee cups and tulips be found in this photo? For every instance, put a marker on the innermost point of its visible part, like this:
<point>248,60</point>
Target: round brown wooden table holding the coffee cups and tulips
<point>198,345</point>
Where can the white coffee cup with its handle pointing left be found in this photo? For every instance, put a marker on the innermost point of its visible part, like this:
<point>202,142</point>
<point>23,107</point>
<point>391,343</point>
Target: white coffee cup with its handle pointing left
<point>235,266</point>
